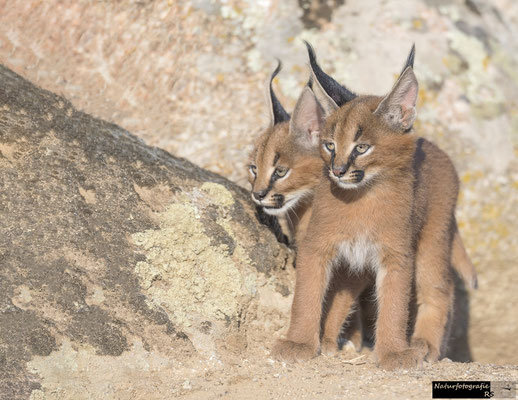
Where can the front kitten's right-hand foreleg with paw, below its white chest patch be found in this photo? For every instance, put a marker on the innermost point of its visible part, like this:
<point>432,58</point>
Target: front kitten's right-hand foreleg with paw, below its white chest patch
<point>393,286</point>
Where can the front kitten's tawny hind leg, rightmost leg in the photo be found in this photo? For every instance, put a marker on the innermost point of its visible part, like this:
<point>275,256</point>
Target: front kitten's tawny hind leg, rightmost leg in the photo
<point>434,291</point>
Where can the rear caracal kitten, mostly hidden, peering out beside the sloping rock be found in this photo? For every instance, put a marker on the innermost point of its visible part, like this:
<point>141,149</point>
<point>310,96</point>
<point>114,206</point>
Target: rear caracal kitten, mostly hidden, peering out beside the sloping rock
<point>284,169</point>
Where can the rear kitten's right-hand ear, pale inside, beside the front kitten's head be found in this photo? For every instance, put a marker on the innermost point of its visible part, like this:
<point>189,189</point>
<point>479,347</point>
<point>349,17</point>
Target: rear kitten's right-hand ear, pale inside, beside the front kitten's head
<point>307,120</point>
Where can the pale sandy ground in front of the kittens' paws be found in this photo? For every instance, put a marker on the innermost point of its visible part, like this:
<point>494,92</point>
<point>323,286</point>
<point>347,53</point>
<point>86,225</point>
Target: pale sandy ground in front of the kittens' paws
<point>343,376</point>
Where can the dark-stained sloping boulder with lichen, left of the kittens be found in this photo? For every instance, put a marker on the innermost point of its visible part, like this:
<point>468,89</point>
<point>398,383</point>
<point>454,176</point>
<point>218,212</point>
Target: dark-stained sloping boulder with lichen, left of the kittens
<point>116,258</point>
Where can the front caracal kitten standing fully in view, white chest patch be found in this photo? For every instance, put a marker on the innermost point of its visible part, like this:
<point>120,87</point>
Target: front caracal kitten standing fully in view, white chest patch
<point>386,205</point>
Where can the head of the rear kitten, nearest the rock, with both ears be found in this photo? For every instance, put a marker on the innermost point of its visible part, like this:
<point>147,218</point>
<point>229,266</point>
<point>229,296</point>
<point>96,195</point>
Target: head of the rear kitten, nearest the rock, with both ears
<point>285,165</point>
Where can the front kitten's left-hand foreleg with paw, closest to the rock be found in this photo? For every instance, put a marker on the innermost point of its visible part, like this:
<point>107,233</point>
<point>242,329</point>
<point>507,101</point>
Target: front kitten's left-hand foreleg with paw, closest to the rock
<point>312,275</point>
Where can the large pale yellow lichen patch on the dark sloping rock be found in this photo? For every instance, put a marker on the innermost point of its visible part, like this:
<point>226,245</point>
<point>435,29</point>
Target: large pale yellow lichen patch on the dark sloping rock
<point>194,279</point>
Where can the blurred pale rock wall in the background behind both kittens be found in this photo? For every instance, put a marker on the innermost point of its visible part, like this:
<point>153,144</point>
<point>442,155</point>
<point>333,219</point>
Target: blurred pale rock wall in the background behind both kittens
<point>188,76</point>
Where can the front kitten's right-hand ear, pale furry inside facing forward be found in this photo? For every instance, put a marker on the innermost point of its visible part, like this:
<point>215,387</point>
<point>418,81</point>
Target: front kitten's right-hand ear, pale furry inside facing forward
<point>398,108</point>
